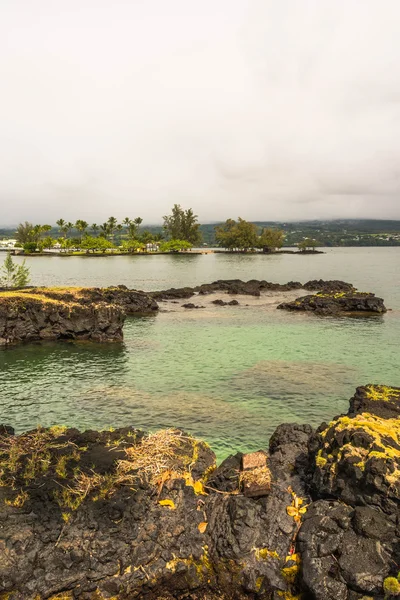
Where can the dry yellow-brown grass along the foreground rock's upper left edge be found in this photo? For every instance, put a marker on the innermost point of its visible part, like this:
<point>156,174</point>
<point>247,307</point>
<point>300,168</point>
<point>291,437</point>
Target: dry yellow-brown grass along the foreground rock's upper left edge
<point>157,457</point>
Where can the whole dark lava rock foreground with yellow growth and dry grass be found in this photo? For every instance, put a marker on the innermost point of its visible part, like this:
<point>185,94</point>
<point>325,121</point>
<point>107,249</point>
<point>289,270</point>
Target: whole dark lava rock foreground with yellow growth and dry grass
<point>123,515</point>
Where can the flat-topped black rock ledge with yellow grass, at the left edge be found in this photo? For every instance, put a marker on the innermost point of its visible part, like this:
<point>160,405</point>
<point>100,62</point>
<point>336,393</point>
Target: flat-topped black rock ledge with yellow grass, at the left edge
<point>69,313</point>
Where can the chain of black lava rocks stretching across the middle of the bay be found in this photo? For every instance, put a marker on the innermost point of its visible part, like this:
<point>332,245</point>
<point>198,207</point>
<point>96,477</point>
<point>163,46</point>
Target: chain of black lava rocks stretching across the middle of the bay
<point>98,314</point>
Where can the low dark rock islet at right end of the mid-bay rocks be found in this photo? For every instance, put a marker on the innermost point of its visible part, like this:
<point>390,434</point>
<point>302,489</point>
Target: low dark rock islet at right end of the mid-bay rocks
<point>336,303</point>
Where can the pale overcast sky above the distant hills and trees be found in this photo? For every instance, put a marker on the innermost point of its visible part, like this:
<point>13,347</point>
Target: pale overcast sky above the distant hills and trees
<point>267,109</point>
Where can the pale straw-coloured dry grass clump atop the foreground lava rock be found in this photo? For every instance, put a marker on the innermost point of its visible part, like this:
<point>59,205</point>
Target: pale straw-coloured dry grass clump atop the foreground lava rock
<point>160,452</point>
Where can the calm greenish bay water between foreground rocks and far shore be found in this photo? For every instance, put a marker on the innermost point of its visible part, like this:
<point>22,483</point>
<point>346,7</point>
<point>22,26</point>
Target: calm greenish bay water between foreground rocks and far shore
<point>229,375</point>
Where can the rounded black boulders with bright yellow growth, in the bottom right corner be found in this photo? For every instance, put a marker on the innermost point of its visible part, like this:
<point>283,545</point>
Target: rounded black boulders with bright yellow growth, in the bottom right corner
<point>349,541</point>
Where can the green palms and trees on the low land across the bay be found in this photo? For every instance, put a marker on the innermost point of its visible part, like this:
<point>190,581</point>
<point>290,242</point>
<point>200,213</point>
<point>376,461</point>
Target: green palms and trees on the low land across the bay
<point>180,231</point>
